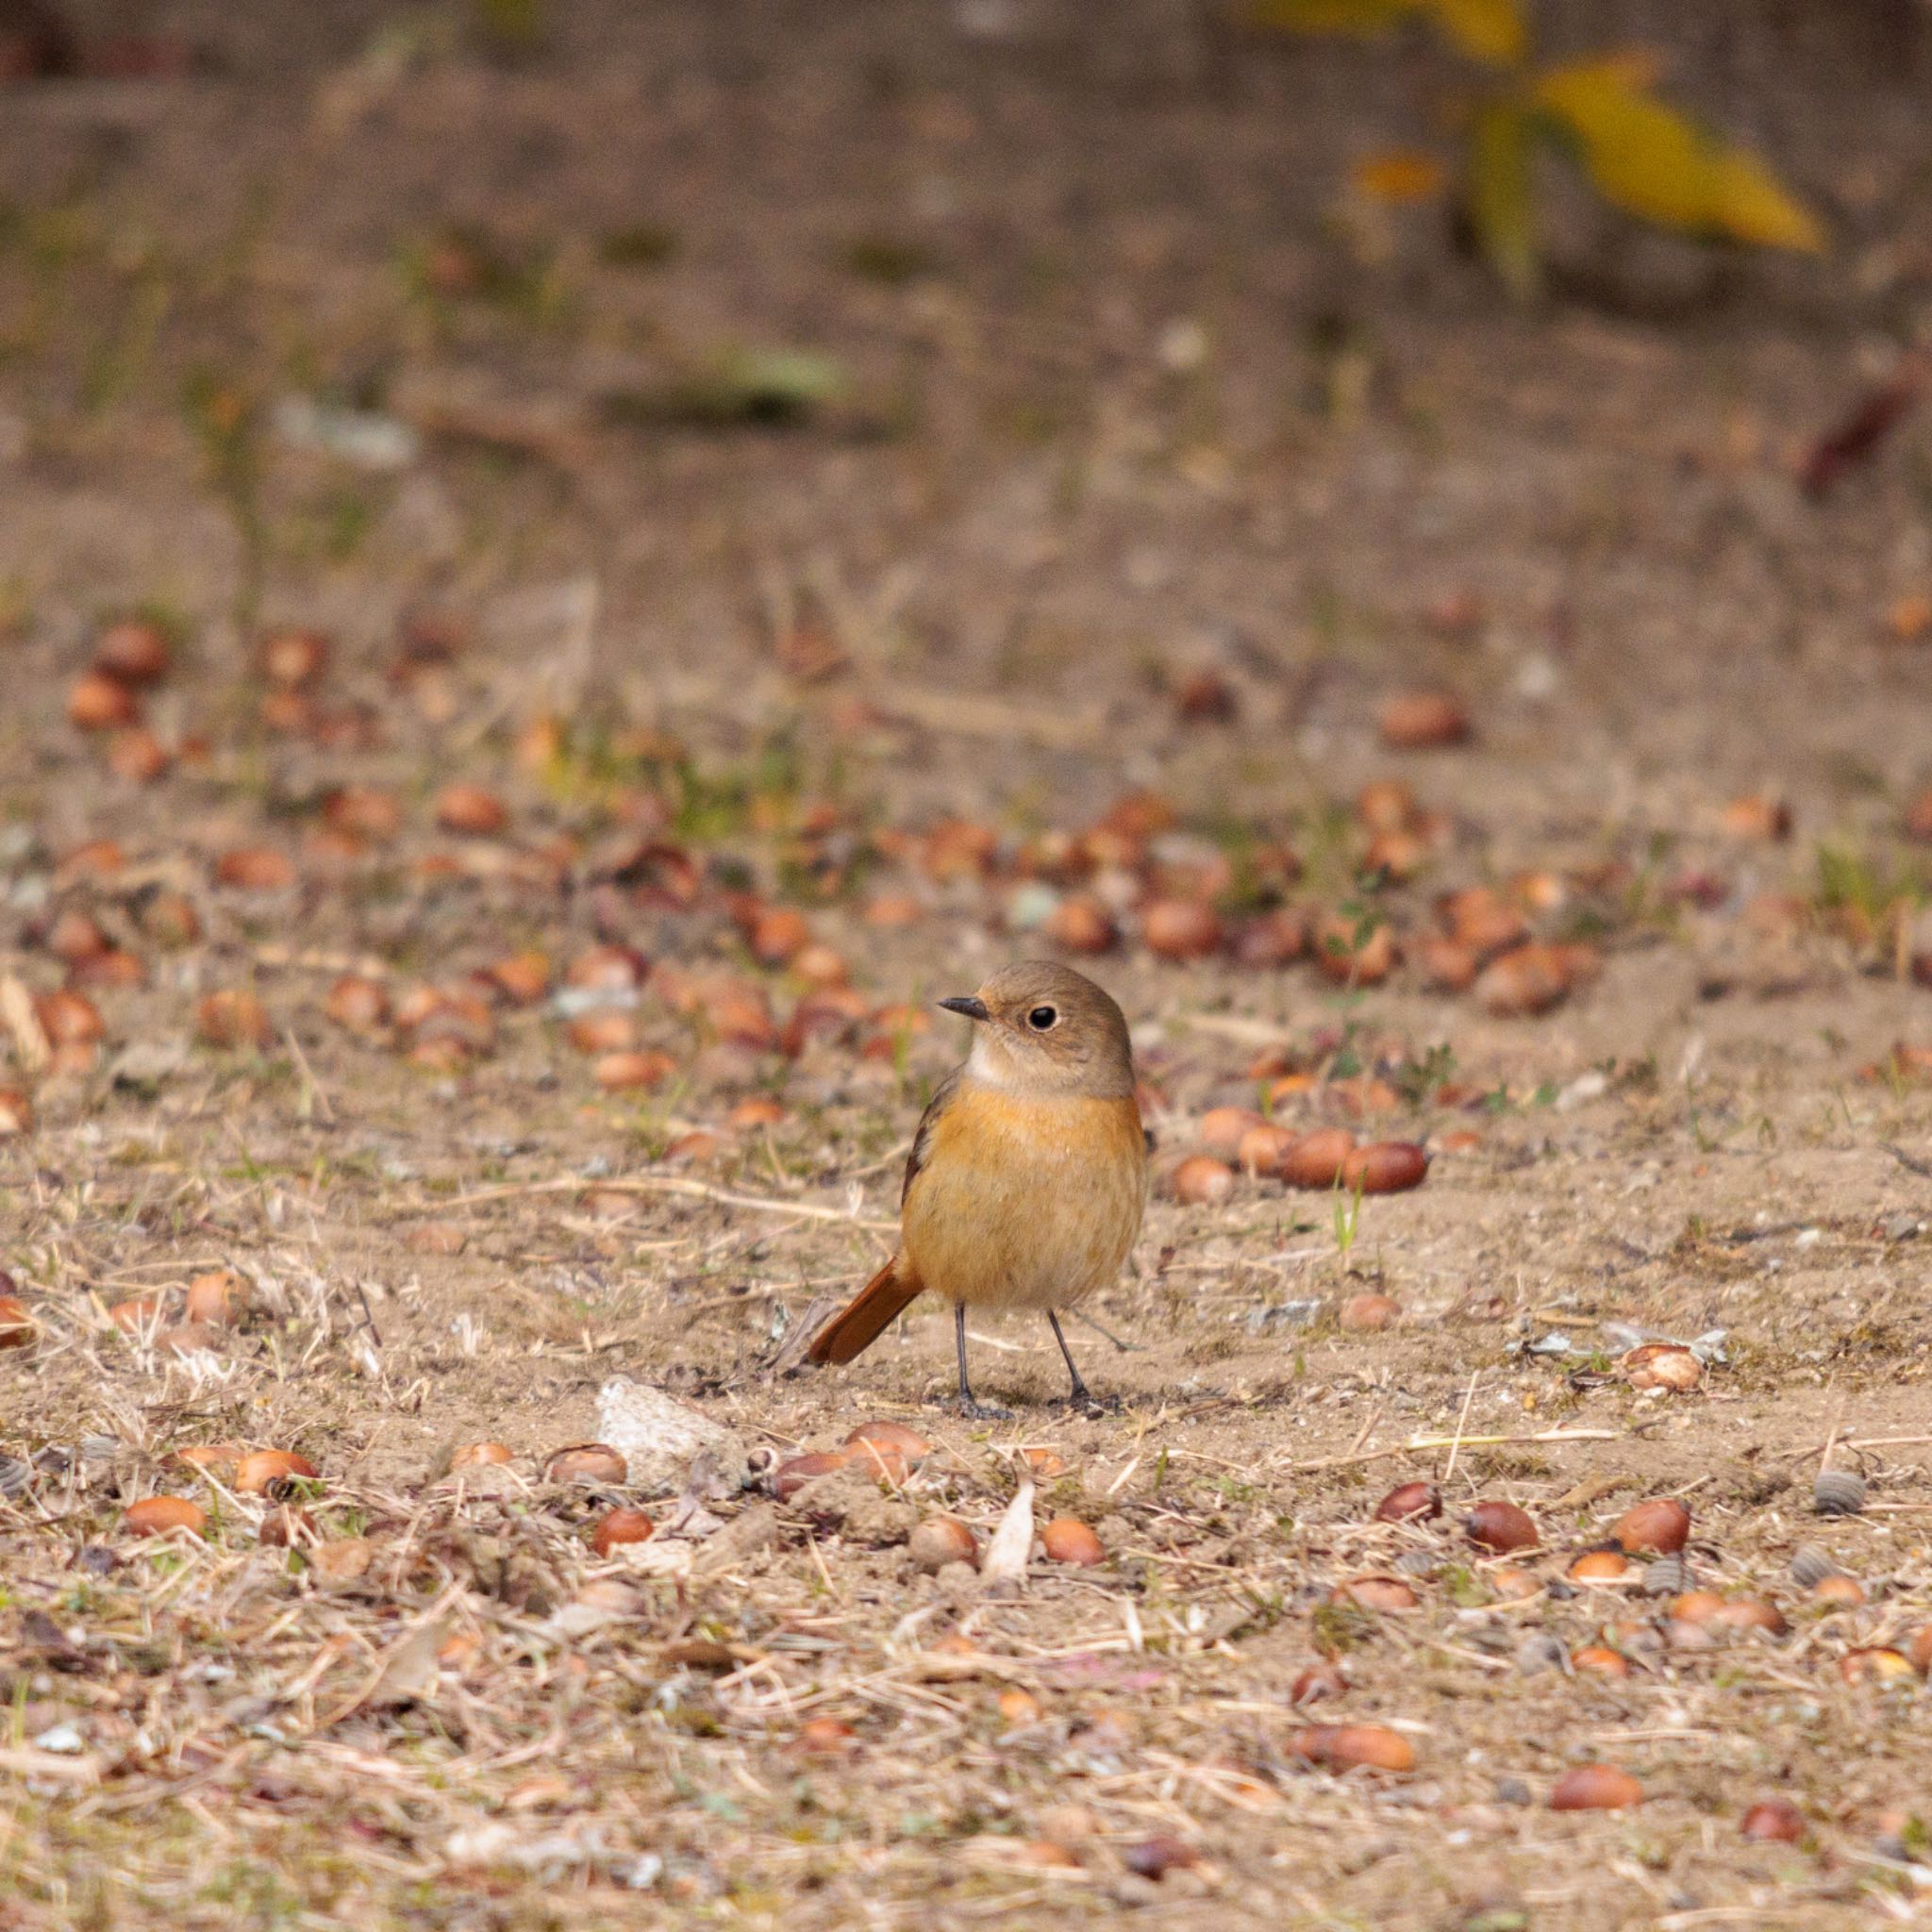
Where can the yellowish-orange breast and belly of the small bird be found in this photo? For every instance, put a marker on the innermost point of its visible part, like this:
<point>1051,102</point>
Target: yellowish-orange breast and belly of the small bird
<point>1027,1203</point>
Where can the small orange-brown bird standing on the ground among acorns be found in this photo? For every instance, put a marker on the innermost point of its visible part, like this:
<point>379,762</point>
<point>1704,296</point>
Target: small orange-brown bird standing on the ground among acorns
<point>1029,1174</point>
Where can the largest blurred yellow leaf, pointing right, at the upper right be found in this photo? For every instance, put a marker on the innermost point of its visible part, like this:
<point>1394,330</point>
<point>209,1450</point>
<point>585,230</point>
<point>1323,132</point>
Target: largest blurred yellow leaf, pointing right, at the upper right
<point>1655,163</point>
